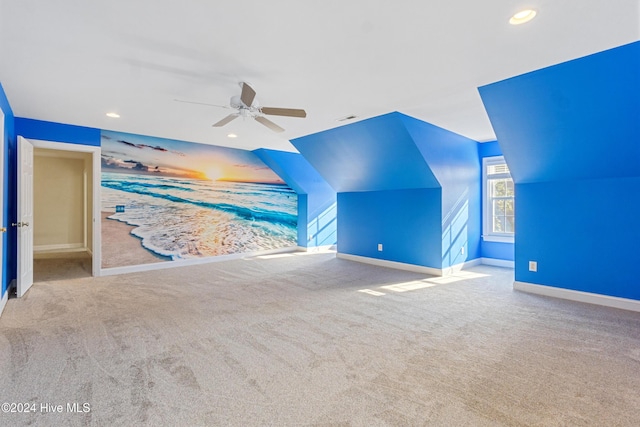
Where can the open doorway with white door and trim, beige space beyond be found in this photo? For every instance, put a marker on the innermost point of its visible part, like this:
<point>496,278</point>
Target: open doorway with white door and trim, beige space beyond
<point>64,190</point>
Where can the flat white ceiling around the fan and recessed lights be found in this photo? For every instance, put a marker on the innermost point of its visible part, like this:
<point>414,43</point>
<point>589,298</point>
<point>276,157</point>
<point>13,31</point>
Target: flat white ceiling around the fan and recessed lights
<point>71,61</point>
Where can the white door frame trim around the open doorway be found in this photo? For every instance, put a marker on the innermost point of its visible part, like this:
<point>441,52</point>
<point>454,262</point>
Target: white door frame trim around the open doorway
<point>96,254</point>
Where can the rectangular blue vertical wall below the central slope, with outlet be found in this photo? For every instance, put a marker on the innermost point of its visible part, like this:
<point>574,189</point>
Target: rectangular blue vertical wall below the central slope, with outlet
<point>406,222</point>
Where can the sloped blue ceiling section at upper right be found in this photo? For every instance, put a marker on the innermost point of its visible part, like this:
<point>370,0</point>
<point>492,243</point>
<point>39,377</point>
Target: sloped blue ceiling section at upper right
<point>576,120</point>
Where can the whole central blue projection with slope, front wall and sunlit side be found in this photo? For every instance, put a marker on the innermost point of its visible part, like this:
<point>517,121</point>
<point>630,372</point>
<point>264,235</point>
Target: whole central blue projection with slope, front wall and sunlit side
<point>373,164</point>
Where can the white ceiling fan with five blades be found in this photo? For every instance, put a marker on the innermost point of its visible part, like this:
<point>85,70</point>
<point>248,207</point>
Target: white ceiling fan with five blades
<point>248,106</point>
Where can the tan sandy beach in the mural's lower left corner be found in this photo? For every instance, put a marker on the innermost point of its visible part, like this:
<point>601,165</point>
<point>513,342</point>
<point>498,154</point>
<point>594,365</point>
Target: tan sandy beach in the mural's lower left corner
<point>120,248</point>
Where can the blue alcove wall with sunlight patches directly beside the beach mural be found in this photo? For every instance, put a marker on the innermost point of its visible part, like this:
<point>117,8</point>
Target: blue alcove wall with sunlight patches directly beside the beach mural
<point>317,204</point>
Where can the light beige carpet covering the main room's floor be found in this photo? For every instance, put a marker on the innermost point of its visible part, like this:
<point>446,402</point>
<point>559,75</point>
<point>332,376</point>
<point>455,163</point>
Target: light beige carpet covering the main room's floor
<point>293,341</point>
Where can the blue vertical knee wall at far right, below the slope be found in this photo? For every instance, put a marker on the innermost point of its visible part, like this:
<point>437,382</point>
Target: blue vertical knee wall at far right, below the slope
<point>583,234</point>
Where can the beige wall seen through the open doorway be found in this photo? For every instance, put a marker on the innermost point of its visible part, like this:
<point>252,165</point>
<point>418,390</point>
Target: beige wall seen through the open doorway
<point>61,200</point>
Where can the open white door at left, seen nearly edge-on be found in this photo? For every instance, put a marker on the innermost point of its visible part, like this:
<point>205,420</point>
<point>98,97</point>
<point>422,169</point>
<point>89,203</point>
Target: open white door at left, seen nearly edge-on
<point>25,216</point>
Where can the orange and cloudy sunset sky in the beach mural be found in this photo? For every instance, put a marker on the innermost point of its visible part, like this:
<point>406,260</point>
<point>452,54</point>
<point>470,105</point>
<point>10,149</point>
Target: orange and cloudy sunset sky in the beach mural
<point>124,152</point>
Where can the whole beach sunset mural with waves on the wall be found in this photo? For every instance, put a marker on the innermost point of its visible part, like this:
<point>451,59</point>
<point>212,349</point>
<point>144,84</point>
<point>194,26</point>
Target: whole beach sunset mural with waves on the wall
<point>166,200</point>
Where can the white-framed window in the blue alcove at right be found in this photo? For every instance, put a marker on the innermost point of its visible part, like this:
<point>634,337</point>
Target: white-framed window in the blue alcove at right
<point>498,201</point>
